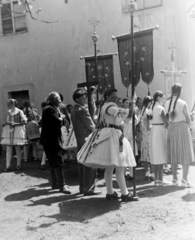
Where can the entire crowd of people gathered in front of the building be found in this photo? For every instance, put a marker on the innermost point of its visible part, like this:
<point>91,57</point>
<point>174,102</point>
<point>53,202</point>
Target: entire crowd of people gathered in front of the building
<point>113,135</point>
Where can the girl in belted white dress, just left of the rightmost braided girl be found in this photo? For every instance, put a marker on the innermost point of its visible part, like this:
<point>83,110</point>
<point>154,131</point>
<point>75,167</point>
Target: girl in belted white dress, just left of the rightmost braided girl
<point>158,137</point>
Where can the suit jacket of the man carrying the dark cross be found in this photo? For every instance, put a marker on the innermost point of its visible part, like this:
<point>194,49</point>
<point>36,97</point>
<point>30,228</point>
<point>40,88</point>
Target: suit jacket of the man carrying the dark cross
<point>82,124</point>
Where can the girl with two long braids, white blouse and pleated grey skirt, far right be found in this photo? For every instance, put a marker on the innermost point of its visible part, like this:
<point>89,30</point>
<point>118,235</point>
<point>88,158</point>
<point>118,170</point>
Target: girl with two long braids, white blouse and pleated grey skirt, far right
<point>180,147</point>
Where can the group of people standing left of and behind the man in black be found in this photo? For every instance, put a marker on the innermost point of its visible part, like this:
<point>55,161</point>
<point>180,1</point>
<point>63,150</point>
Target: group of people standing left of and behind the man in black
<point>21,132</point>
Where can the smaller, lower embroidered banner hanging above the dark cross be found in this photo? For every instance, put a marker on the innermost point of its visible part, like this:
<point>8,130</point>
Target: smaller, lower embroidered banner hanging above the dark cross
<point>105,71</point>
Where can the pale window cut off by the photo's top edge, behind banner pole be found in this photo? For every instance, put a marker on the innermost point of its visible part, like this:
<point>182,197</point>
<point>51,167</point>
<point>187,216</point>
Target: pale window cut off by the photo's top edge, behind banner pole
<point>142,4</point>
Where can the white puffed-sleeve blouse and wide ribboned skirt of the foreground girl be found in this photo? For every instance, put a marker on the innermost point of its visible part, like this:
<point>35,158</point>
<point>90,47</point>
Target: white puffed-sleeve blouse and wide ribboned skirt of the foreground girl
<point>103,146</point>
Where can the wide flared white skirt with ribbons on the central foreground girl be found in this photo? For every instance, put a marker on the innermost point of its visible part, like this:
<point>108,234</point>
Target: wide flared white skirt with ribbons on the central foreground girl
<point>102,149</point>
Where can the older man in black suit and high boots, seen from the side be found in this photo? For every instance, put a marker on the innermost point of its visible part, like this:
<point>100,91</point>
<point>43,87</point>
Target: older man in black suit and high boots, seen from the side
<point>51,139</point>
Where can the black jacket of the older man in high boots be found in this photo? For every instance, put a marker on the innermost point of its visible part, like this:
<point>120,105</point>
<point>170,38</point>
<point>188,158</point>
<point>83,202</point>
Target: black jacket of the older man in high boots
<point>51,127</point>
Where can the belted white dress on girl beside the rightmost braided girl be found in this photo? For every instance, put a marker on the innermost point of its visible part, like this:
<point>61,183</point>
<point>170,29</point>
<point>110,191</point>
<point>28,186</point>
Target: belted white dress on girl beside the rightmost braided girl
<point>158,137</point>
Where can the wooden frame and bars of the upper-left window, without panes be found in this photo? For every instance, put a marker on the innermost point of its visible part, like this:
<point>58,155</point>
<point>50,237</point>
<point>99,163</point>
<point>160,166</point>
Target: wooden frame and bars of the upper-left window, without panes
<point>13,18</point>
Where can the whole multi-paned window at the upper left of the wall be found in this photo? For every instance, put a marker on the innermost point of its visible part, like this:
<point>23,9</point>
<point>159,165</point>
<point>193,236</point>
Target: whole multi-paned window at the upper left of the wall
<point>13,17</point>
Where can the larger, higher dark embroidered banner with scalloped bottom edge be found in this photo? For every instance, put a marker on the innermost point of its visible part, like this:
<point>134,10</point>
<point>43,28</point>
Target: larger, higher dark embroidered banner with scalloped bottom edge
<point>143,53</point>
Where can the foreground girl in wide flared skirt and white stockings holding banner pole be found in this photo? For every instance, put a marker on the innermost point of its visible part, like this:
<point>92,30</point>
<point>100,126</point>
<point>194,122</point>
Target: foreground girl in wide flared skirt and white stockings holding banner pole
<point>108,148</point>
